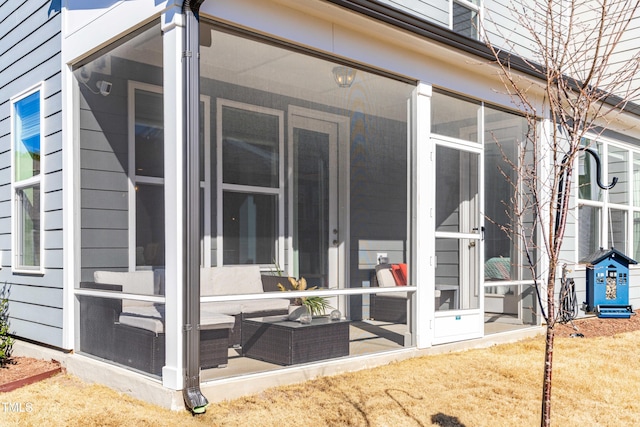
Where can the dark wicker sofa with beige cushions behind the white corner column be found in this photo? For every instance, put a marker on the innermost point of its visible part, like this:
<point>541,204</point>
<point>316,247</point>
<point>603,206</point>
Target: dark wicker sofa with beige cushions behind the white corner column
<point>132,332</point>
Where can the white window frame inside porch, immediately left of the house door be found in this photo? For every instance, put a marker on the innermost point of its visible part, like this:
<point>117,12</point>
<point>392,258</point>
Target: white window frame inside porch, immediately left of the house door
<point>277,191</point>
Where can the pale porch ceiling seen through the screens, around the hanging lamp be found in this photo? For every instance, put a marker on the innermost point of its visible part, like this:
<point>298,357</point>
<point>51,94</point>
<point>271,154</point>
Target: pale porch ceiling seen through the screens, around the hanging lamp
<point>269,68</point>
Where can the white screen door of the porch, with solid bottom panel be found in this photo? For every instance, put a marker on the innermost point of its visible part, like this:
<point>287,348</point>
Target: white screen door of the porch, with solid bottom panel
<point>458,243</point>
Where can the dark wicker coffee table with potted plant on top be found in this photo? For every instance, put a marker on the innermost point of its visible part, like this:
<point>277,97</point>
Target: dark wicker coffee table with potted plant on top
<point>284,342</point>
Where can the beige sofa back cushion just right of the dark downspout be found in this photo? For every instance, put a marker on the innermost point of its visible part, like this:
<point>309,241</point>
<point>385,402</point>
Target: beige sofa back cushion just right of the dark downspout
<point>230,280</point>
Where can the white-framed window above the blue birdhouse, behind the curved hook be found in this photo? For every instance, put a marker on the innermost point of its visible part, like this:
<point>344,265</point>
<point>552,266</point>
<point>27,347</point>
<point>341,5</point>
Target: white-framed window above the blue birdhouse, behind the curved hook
<point>609,218</point>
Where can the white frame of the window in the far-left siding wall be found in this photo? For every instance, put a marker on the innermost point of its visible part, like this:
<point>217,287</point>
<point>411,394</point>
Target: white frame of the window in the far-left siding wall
<point>37,180</point>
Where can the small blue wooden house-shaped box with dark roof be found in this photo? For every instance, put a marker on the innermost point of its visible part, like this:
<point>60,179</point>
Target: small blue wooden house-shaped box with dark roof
<point>608,284</point>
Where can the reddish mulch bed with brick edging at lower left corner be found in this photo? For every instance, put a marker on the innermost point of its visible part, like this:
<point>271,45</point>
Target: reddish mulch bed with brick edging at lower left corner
<point>21,371</point>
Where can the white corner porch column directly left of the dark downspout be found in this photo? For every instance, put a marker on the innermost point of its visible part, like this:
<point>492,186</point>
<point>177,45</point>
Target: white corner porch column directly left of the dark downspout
<point>173,82</point>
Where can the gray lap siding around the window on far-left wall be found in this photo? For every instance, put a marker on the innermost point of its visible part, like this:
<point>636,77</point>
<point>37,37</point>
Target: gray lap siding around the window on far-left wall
<point>30,43</point>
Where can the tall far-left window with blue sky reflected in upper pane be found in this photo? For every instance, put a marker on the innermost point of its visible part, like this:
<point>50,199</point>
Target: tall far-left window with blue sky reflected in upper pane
<point>27,224</point>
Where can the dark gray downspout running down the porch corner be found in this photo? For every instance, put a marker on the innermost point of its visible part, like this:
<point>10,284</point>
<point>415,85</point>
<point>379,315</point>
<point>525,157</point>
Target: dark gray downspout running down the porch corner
<point>193,397</point>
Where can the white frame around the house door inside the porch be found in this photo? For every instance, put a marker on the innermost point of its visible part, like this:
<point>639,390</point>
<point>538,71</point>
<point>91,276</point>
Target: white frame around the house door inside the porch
<point>343,191</point>
